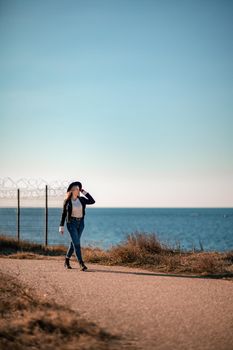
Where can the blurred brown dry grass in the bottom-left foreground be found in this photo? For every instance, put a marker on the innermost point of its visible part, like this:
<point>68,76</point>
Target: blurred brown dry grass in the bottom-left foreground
<point>28,322</point>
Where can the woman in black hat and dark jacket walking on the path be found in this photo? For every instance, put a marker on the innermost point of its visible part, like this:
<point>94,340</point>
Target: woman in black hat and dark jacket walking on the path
<point>73,212</point>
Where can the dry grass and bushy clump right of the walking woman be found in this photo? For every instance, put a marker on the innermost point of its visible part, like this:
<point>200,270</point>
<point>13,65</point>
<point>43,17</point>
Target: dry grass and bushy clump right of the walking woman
<point>146,251</point>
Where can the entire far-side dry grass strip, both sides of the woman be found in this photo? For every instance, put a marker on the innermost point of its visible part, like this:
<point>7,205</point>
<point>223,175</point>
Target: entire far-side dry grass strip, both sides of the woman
<point>138,250</point>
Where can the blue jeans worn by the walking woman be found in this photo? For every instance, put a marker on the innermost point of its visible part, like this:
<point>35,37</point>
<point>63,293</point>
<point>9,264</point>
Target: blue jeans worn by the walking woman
<point>75,228</point>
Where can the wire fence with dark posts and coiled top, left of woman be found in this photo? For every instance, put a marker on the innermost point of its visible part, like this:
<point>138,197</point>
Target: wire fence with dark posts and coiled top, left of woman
<point>31,208</point>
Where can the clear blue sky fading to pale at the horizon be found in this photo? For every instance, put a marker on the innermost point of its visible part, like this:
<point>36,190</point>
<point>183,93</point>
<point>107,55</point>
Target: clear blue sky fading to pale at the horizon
<point>132,98</point>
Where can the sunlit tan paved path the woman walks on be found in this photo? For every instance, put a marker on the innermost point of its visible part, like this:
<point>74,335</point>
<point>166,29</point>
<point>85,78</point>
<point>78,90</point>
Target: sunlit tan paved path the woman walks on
<point>158,312</point>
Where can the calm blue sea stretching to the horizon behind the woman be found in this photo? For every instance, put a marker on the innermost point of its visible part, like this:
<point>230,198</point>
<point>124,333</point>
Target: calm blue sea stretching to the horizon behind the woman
<point>210,229</point>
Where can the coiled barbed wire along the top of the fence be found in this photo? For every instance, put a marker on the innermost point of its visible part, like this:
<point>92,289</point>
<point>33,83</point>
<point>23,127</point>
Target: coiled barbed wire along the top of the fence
<point>31,187</point>
